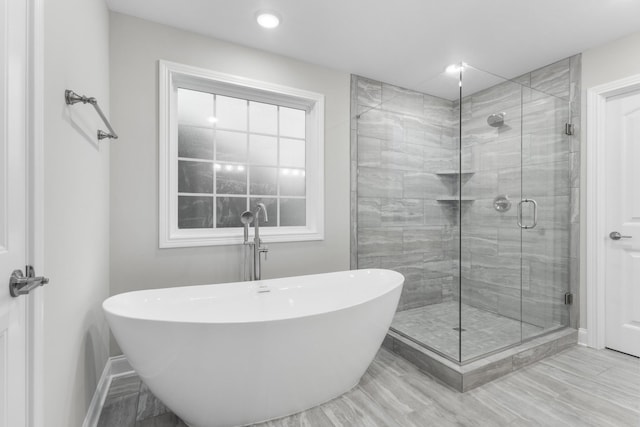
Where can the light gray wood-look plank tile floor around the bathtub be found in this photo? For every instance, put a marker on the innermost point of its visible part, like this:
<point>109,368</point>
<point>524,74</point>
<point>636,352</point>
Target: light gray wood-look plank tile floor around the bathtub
<point>578,387</point>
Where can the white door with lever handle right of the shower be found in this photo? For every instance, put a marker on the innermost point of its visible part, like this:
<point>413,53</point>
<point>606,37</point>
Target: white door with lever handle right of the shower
<point>622,184</point>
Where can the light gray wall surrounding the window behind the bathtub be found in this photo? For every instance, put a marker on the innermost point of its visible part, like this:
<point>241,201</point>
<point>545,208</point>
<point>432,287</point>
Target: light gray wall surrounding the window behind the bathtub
<point>136,261</point>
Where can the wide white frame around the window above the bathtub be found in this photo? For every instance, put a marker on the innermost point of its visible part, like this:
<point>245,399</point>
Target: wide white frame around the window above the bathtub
<point>171,77</point>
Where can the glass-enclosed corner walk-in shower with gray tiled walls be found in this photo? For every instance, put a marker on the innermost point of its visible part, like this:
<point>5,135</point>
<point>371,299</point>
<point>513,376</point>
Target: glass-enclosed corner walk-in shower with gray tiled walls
<point>468,187</point>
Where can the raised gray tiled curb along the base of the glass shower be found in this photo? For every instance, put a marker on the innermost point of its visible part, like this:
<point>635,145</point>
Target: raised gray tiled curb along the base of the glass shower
<point>471,375</point>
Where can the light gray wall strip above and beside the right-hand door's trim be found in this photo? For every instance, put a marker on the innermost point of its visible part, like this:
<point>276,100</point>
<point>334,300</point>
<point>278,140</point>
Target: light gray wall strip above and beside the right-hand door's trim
<point>603,64</point>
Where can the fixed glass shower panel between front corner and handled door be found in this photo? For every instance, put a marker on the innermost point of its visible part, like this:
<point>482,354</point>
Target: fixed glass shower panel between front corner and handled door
<point>490,194</point>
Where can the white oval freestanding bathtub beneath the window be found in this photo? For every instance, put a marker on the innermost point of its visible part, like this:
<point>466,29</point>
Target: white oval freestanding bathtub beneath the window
<point>238,353</point>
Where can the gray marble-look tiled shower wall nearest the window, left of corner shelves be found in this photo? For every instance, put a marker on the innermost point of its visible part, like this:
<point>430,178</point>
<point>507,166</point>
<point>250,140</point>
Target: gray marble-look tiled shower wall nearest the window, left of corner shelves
<point>401,141</point>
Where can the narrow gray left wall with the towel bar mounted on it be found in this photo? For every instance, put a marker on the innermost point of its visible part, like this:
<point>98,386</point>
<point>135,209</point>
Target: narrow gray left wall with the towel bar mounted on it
<point>76,220</point>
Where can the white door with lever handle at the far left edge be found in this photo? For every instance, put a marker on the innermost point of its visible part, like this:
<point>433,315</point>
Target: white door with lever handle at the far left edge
<point>12,210</point>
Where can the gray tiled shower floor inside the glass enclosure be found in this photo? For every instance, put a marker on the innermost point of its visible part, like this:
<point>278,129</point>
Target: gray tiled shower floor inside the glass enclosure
<point>482,331</point>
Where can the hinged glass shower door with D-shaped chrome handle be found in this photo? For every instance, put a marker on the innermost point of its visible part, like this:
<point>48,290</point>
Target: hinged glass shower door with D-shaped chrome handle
<point>546,165</point>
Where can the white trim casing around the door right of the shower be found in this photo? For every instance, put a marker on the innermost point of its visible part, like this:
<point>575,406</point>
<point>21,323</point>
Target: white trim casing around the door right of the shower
<point>595,189</point>
